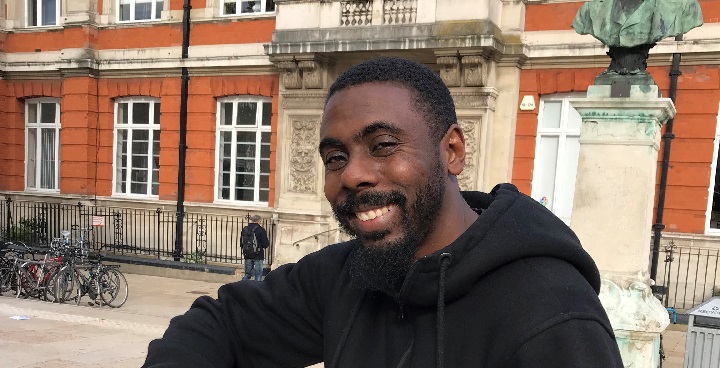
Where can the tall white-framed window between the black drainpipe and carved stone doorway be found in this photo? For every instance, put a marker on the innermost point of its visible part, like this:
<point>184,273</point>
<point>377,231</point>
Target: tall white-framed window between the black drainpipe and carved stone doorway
<point>243,150</point>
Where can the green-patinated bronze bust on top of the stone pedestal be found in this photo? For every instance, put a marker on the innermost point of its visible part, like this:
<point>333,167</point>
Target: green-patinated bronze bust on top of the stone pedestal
<point>632,27</point>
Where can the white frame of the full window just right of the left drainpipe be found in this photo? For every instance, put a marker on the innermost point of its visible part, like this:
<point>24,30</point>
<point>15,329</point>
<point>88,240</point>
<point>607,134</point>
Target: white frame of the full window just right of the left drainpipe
<point>258,127</point>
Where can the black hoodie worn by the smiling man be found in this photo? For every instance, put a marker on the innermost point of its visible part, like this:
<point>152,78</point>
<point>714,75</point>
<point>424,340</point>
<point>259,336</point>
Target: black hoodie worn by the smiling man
<point>515,290</point>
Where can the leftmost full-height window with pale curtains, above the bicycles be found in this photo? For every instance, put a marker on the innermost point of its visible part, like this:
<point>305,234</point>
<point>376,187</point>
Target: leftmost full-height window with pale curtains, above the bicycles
<point>42,148</point>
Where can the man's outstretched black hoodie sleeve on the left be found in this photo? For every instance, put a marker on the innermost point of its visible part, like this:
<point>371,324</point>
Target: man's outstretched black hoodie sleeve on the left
<point>274,323</point>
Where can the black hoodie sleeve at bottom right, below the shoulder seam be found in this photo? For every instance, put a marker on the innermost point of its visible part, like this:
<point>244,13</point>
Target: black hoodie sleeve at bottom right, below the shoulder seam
<point>574,343</point>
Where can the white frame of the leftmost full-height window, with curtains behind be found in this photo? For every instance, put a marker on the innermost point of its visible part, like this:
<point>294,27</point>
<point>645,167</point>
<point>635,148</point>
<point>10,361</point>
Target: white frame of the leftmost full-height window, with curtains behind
<point>38,146</point>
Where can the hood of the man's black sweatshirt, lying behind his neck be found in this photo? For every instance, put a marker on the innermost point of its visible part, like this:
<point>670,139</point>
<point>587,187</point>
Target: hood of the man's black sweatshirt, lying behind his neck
<point>510,226</point>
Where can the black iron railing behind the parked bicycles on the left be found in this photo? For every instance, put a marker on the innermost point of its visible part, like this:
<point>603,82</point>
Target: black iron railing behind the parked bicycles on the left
<point>131,231</point>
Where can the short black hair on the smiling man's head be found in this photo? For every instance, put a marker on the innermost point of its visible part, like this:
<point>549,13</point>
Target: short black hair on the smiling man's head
<point>432,95</point>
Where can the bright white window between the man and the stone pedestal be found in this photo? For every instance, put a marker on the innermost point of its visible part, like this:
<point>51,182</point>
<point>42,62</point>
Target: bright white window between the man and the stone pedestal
<point>556,155</point>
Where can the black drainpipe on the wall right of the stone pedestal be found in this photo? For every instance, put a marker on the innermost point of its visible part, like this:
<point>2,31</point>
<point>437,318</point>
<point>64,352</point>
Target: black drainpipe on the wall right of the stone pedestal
<point>667,139</point>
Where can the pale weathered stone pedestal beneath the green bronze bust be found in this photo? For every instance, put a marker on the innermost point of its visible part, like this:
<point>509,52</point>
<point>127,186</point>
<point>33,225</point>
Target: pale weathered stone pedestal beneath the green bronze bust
<point>613,209</point>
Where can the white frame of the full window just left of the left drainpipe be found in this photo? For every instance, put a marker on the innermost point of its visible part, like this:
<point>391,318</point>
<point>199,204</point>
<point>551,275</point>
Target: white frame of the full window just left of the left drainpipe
<point>153,126</point>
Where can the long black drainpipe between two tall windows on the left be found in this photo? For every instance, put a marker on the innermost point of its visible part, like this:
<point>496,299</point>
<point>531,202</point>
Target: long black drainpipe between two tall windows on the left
<point>178,252</point>
